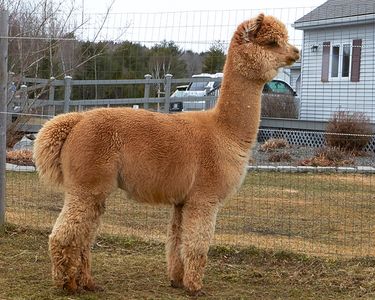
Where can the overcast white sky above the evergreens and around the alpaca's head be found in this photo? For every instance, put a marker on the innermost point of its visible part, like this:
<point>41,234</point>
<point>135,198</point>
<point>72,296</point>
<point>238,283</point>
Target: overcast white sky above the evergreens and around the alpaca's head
<point>192,24</point>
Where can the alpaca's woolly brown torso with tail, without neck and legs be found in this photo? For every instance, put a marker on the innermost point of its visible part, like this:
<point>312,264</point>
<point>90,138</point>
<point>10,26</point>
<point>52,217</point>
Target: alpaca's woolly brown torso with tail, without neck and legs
<point>152,156</point>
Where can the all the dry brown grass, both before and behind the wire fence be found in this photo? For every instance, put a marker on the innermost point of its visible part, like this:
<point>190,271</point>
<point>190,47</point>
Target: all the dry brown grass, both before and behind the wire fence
<point>318,214</point>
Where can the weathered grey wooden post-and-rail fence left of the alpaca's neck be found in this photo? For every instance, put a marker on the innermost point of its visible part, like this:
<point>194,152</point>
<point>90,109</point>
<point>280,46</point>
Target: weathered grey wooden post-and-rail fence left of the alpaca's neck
<point>68,83</point>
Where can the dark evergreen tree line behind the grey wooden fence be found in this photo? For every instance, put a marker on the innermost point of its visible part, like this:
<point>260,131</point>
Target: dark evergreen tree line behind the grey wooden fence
<point>121,60</point>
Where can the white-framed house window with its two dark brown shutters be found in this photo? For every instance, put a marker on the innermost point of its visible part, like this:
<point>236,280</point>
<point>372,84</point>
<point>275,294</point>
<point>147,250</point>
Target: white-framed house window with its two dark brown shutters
<point>341,61</point>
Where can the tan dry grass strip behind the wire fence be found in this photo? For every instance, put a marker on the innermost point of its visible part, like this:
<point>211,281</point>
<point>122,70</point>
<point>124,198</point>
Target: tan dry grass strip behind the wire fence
<point>312,213</point>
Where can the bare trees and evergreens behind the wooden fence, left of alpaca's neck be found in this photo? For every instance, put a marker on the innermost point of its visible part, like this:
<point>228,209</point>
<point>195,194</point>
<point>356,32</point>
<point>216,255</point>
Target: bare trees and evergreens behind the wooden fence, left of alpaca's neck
<point>43,45</point>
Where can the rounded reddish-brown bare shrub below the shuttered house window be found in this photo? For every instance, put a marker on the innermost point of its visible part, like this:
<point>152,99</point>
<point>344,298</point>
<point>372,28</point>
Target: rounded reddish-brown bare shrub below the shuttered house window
<point>356,124</point>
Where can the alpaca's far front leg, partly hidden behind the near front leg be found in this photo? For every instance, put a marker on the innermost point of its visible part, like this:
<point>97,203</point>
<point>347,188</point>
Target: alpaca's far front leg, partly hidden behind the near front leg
<point>173,247</point>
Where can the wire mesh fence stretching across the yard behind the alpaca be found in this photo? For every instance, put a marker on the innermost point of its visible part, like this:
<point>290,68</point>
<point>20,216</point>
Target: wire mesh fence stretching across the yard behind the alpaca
<point>289,200</point>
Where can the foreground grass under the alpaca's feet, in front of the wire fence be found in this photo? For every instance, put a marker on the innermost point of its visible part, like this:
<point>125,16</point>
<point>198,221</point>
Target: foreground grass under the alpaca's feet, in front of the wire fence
<point>133,269</point>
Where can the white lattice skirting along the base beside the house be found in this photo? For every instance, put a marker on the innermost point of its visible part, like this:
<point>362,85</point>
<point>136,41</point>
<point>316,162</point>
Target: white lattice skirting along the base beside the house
<point>314,139</point>
